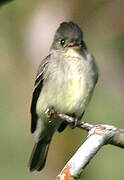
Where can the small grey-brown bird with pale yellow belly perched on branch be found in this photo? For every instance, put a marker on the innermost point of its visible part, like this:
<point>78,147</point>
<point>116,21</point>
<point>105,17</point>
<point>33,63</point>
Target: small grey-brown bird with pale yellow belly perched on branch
<point>65,81</point>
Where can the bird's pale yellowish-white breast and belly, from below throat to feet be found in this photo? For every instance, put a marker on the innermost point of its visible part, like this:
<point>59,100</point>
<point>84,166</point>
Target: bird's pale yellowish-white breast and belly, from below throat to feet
<point>67,88</point>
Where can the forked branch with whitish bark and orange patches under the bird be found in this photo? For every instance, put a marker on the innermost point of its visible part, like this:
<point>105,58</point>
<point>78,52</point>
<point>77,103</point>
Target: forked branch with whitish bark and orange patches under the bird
<point>98,135</point>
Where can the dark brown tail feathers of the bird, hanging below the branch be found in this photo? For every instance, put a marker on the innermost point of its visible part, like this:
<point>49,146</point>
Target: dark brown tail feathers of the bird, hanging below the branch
<point>38,156</point>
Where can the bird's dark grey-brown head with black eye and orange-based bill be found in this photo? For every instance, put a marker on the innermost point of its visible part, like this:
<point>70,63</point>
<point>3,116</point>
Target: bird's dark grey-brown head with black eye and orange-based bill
<point>68,35</point>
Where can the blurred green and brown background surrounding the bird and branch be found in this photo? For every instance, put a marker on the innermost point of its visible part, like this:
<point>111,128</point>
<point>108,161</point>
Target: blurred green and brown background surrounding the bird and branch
<point>26,33</point>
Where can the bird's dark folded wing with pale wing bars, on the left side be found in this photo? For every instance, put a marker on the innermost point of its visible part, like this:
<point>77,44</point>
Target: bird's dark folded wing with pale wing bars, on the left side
<point>37,89</point>
